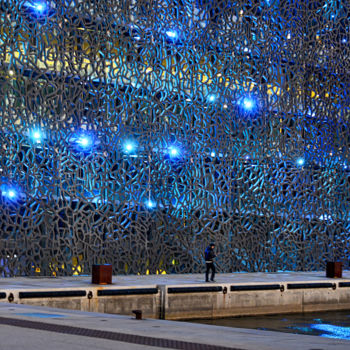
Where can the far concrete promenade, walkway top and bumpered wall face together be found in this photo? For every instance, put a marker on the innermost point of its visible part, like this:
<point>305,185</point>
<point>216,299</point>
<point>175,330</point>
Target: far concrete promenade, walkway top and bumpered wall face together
<point>187,296</point>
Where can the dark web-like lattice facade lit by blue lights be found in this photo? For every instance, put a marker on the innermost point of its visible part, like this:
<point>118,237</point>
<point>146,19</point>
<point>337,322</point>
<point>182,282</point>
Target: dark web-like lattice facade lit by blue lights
<point>136,132</point>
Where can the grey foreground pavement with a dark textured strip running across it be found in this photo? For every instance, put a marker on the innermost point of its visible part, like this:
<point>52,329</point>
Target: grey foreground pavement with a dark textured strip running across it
<point>28,327</point>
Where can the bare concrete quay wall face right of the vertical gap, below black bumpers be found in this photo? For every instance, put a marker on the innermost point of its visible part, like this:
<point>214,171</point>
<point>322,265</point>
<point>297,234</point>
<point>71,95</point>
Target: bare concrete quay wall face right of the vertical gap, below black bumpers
<point>255,302</point>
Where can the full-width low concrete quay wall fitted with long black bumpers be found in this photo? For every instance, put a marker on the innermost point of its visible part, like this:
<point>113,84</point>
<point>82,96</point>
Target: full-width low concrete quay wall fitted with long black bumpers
<point>193,301</point>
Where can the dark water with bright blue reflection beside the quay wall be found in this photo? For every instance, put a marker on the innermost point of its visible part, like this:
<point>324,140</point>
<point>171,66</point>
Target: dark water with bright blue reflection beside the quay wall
<point>334,324</point>
